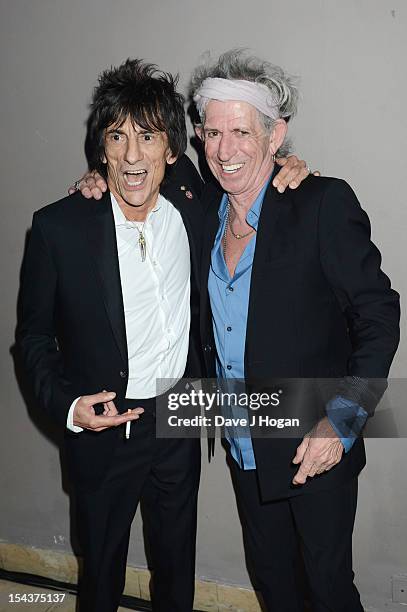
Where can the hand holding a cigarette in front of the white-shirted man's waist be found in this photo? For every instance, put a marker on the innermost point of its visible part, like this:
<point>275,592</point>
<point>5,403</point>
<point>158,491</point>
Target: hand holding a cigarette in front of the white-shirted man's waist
<point>84,412</point>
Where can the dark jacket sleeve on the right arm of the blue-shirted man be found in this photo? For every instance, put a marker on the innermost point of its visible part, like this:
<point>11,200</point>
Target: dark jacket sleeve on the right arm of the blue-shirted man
<point>351,263</point>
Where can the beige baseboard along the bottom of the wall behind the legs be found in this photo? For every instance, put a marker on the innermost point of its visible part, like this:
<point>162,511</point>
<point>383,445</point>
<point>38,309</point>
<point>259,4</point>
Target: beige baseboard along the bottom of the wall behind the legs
<point>63,567</point>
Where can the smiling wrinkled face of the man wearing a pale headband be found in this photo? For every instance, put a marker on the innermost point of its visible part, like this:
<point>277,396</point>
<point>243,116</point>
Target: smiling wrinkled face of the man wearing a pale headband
<point>238,149</point>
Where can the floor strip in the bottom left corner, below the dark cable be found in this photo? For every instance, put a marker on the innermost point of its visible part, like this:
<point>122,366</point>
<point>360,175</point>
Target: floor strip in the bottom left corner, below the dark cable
<point>8,588</point>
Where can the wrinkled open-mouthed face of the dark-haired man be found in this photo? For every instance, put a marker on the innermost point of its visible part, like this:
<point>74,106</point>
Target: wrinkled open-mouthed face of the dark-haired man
<point>136,160</point>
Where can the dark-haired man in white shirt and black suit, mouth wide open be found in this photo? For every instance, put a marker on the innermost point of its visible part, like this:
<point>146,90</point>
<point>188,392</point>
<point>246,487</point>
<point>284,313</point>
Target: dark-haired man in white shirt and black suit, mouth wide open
<point>111,281</point>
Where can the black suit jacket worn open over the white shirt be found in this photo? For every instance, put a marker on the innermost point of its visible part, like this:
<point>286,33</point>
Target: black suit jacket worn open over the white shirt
<point>71,328</point>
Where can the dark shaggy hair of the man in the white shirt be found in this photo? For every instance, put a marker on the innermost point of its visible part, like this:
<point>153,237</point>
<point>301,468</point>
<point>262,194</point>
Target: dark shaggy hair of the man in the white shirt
<point>142,92</point>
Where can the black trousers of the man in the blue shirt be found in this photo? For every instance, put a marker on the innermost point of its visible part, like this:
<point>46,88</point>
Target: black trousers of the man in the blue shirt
<point>321,525</point>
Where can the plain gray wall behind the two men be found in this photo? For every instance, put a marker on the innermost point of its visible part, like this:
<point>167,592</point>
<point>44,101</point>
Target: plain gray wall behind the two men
<point>350,55</point>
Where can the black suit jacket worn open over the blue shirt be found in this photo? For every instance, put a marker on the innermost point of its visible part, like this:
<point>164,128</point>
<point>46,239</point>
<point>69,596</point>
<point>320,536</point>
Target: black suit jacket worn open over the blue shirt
<point>319,306</point>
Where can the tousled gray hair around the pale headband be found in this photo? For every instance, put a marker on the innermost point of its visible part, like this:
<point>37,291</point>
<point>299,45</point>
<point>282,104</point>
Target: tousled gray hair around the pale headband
<point>236,64</point>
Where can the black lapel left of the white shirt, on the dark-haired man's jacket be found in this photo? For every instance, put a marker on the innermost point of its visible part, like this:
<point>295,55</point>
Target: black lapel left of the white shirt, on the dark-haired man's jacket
<point>102,239</point>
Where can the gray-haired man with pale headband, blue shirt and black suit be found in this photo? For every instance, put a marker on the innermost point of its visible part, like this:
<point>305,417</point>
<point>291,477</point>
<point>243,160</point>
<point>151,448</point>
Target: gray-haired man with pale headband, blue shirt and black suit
<point>294,291</point>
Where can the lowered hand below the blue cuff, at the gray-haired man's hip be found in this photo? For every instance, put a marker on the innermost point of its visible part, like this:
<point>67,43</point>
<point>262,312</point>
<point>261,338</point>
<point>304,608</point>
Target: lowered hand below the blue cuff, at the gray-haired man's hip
<point>319,451</point>
